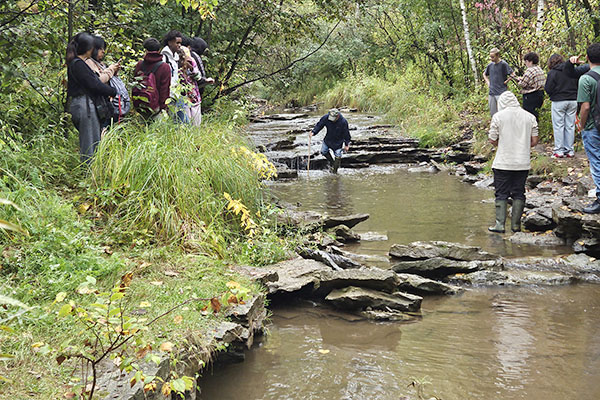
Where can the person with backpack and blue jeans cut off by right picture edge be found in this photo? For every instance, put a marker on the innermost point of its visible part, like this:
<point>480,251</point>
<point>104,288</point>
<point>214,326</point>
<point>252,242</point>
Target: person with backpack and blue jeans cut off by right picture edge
<point>589,116</point>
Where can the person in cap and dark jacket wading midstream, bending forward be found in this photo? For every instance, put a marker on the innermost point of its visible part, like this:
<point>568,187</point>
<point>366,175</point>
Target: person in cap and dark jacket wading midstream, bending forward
<point>337,138</point>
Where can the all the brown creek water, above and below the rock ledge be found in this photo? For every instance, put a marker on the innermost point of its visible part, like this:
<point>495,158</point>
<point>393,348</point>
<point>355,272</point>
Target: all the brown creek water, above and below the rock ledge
<point>501,343</point>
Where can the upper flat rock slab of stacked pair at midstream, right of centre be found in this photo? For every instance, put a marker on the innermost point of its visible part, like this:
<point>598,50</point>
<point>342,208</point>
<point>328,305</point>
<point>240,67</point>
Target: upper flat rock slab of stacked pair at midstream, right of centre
<point>437,249</point>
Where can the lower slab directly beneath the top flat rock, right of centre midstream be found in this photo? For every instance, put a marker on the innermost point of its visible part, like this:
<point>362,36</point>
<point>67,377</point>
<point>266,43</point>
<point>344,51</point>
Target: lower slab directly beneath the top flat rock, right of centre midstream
<point>440,267</point>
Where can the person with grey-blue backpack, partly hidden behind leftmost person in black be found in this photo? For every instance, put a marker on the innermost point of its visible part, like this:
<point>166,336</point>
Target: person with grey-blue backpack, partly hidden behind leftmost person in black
<point>121,102</point>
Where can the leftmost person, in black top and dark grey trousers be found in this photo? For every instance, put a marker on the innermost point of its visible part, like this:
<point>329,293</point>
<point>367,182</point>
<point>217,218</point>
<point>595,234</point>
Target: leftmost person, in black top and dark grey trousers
<point>83,88</point>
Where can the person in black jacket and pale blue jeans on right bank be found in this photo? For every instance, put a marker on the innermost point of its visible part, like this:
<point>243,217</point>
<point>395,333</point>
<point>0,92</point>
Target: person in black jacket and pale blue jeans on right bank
<point>562,90</point>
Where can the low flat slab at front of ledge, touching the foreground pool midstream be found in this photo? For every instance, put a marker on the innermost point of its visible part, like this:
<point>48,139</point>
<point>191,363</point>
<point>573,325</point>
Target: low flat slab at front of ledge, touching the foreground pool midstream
<point>355,298</point>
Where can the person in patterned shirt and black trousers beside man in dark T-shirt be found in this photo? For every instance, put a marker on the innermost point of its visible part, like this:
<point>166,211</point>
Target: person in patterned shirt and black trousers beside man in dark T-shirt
<point>532,84</point>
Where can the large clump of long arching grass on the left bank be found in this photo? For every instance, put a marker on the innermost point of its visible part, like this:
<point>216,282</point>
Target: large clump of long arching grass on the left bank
<point>167,182</point>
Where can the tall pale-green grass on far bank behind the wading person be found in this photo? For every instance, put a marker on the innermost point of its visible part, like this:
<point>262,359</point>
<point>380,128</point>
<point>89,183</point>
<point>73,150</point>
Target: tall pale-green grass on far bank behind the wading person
<point>407,99</point>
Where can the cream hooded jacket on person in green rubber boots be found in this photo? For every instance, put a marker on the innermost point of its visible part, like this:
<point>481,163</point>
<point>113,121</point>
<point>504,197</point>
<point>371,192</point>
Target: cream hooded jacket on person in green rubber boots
<point>513,128</point>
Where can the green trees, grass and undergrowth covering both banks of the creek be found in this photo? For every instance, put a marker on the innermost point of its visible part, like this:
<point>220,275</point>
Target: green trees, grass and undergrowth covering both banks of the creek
<point>187,207</point>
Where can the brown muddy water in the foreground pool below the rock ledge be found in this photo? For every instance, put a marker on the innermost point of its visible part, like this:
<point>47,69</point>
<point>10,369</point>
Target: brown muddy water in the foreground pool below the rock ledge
<point>485,344</point>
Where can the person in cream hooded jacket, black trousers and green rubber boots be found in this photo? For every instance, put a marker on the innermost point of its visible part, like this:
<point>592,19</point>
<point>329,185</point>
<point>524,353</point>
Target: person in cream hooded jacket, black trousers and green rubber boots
<point>514,131</point>
